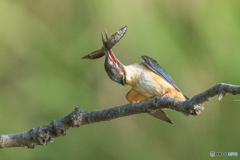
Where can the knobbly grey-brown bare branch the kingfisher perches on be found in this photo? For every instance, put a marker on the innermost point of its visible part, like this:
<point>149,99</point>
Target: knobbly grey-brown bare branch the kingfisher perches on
<point>47,134</point>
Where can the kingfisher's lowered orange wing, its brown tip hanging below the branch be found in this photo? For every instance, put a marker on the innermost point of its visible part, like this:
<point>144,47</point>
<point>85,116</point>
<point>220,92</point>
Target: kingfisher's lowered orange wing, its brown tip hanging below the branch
<point>134,95</point>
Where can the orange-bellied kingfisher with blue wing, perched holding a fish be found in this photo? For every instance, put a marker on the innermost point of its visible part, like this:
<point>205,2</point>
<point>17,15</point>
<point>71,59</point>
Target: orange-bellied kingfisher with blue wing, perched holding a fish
<point>147,79</point>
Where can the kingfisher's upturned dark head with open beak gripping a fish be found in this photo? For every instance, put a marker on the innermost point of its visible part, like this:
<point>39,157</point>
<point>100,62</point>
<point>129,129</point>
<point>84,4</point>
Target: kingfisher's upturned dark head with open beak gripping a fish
<point>114,68</point>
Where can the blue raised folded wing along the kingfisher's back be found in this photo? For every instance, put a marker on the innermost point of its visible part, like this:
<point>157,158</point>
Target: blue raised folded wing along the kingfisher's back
<point>156,68</point>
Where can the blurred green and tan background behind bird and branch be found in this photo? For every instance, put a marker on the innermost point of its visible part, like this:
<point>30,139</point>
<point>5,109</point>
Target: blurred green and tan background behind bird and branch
<point>42,75</point>
